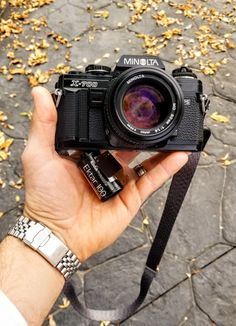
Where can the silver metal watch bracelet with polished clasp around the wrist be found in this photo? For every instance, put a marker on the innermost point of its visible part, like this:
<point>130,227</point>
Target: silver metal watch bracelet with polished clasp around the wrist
<point>41,239</point>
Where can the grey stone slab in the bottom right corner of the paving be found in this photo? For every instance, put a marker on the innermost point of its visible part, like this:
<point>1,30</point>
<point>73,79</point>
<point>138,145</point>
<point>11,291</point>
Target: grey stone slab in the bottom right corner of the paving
<point>214,290</point>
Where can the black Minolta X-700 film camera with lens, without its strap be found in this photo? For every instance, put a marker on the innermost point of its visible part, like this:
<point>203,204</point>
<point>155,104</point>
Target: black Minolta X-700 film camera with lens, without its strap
<point>136,106</point>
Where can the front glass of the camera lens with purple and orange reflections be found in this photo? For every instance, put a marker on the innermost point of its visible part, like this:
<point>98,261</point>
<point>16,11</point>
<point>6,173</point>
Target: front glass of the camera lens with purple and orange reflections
<point>143,106</point>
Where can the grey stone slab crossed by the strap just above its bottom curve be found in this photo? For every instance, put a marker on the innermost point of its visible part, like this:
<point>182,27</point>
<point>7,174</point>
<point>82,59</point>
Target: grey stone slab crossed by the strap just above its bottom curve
<point>117,282</point>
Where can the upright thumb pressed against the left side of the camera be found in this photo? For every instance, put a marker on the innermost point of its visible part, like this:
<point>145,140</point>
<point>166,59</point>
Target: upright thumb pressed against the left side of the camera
<point>43,125</point>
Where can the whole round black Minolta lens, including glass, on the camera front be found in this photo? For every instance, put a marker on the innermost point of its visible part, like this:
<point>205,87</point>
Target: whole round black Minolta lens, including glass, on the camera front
<point>144,105</point>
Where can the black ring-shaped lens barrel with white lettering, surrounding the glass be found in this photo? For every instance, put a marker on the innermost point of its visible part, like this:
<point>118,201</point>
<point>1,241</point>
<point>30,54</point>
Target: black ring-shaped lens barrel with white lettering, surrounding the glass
<point>165,85</point>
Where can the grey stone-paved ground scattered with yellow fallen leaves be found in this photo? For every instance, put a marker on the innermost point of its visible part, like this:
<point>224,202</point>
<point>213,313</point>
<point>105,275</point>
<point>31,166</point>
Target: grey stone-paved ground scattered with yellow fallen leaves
<point>196,283</point>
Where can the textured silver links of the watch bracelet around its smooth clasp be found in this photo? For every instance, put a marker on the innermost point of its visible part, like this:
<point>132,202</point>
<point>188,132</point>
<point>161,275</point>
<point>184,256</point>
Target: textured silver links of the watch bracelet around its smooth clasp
<point>68,264</point>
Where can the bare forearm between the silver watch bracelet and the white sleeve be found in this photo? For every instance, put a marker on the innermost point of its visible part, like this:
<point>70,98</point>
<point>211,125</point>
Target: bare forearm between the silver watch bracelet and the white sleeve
<point>28,280</point>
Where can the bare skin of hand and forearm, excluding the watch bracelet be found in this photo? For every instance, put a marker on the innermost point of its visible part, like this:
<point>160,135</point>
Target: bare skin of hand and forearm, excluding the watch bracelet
<point>58,196</point>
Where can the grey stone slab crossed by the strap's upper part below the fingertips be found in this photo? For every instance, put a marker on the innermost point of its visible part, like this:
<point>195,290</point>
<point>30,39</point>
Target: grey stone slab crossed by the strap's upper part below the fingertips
<point>194,230</point>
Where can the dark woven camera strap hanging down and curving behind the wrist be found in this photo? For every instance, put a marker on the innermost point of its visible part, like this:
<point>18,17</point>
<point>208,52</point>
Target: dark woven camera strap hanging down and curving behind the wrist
<point>178,189</point>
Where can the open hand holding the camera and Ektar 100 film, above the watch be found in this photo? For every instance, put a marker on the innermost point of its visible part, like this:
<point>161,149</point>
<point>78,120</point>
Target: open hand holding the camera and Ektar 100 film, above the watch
<point>58,195</point>
